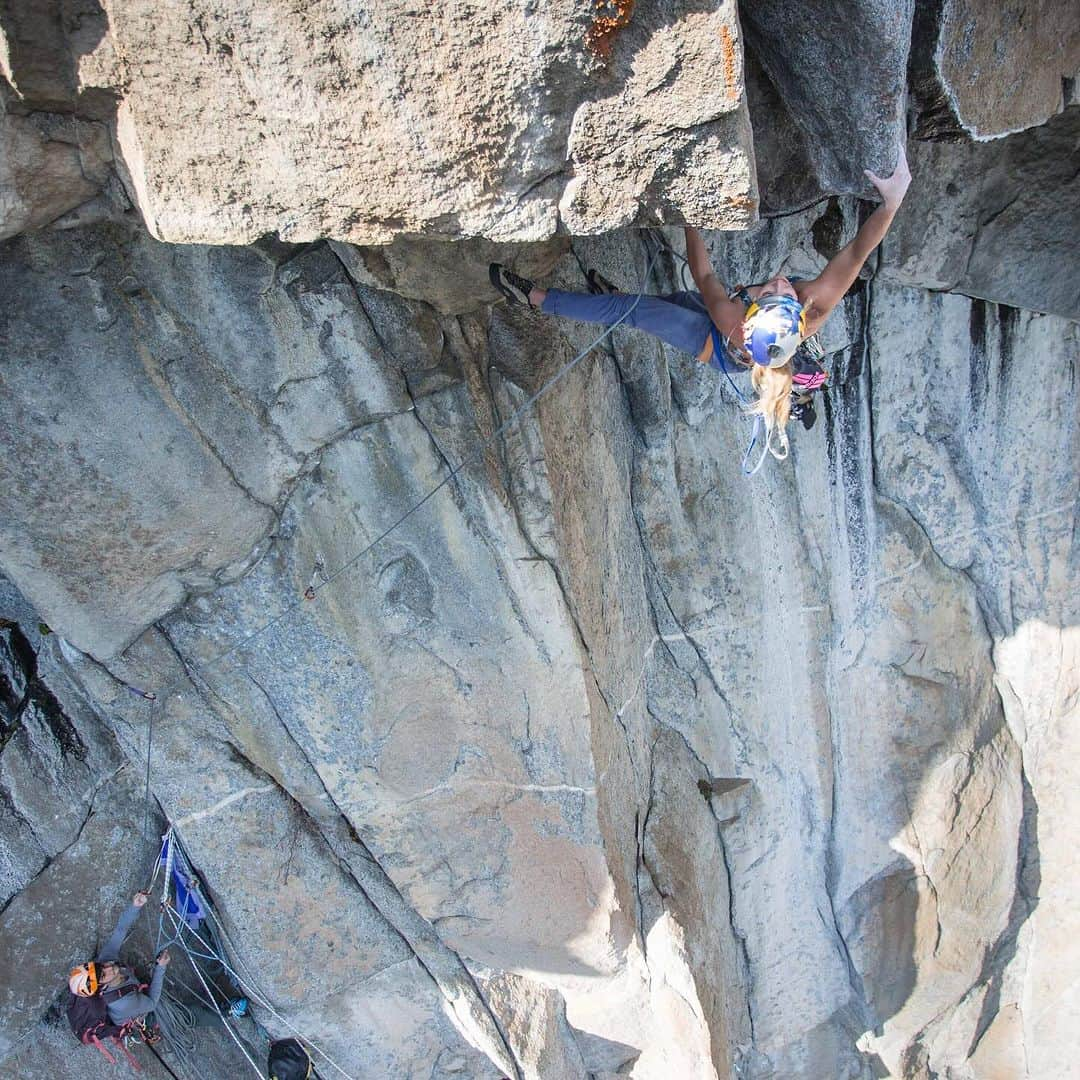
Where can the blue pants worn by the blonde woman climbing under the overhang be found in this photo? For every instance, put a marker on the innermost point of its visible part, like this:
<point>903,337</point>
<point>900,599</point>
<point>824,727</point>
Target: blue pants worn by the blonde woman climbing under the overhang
<point>679,319</point>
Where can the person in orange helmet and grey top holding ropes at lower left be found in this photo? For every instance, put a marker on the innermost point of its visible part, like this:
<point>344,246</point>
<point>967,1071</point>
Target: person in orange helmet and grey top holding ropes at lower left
<point>107,1002</point>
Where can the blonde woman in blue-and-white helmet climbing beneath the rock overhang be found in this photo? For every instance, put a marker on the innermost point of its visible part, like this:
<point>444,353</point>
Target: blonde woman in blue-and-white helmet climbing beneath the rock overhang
<point>758,327</point>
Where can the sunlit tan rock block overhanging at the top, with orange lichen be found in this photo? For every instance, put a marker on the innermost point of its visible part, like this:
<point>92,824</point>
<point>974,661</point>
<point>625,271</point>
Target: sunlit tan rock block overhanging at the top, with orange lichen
<point>363,124</point>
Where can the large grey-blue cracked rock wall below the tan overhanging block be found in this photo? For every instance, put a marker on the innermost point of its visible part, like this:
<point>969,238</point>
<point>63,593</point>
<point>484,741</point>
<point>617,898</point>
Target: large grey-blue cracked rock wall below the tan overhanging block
<point>490,781</point>
